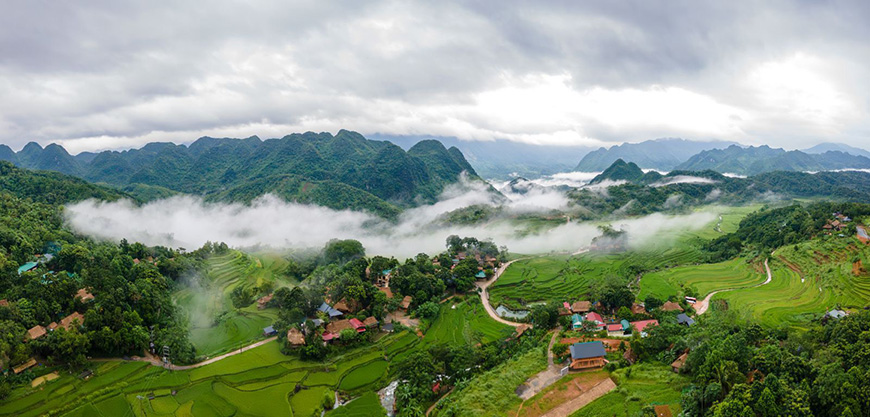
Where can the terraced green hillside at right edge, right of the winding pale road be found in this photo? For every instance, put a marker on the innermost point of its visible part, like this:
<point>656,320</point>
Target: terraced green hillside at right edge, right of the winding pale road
<point>808,279</point>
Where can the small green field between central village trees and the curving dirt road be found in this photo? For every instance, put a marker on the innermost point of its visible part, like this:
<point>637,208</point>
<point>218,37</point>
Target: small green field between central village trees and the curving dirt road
<point>465,322</point>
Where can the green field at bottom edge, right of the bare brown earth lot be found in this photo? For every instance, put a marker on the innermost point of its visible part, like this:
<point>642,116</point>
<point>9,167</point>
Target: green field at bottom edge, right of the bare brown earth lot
<point>646,384</point>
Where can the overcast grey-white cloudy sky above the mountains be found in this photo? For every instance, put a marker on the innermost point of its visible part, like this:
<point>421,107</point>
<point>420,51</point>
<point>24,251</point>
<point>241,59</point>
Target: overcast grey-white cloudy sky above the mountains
<point>104,75</point>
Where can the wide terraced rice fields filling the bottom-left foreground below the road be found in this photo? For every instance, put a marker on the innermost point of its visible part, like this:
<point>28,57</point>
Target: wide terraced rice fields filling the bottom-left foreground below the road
<point>261,381</point>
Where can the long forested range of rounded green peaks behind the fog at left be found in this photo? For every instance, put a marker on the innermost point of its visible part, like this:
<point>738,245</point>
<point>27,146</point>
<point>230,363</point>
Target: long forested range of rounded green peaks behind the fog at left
<point>344,171</point>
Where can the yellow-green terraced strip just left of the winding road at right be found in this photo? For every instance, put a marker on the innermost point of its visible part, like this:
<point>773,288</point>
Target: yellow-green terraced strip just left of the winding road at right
<point>702,279</point>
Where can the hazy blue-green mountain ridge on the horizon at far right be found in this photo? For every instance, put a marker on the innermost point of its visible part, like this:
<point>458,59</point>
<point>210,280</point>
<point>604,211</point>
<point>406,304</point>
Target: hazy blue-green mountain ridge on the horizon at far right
<point>755,160</point>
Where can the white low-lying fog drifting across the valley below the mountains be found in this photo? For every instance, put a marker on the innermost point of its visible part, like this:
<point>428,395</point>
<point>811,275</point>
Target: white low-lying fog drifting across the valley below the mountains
<point>188,221</point>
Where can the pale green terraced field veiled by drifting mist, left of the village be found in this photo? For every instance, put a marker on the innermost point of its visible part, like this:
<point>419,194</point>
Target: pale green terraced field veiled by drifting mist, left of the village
<point>217,327</point>
